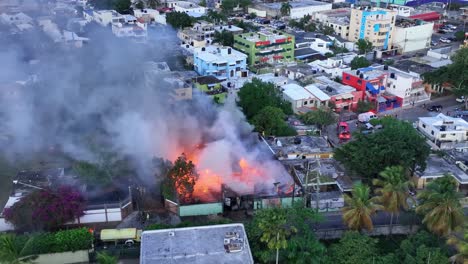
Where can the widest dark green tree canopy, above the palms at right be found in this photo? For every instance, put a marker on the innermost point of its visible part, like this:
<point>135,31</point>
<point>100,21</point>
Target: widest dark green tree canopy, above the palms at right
<point>397,144</point>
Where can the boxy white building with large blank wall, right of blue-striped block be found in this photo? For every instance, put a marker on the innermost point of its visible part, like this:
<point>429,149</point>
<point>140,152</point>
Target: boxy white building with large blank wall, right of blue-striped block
<point>412,35</point>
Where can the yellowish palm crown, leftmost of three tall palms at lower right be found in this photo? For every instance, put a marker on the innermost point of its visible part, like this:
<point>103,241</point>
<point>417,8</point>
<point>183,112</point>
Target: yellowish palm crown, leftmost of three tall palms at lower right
<point>359,208</point>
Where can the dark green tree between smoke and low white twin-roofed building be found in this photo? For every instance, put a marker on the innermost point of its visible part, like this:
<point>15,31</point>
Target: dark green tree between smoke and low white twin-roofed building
<point>256,95</point>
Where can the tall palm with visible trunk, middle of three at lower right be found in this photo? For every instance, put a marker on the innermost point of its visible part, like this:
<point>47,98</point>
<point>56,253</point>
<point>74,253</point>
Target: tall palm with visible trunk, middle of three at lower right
<point>393,191</point>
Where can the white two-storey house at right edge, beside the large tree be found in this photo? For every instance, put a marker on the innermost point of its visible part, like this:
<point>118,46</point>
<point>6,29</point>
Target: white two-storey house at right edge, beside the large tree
<point>443,129</point>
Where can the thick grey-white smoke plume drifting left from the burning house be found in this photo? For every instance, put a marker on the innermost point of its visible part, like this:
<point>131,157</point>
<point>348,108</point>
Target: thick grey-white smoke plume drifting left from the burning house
<point>101,91</point>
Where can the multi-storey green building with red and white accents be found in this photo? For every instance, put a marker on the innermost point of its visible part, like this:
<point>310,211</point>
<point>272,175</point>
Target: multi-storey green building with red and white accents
<point>265,46</point>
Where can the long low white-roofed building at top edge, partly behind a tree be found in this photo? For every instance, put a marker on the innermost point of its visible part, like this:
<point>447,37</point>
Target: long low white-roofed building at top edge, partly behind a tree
<point>298,10</point>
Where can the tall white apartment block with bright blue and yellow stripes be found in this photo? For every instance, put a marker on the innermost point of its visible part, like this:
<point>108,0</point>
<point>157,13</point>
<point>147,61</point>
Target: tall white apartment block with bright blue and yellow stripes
<point>374,24</point>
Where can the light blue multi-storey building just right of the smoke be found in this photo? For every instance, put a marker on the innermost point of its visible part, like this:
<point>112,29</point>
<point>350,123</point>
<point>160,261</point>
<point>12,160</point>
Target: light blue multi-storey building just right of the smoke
<point>221,62</point>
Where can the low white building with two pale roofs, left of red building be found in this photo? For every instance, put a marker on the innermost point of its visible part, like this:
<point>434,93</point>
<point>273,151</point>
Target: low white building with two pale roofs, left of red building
<point>304,99</point>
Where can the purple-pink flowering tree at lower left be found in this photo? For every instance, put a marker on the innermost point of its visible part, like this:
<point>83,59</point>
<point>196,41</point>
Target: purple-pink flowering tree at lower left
<point>46,209</point>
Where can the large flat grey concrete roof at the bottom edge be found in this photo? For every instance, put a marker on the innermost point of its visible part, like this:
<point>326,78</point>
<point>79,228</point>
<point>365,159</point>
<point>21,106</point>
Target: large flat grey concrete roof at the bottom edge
<point>202,244</point>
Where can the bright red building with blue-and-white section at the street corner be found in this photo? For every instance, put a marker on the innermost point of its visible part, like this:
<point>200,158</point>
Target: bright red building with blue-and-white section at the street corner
<point>371,83</point>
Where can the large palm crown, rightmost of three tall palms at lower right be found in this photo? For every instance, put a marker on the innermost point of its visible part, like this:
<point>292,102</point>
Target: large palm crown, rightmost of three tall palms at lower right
<point>440,205</point>
